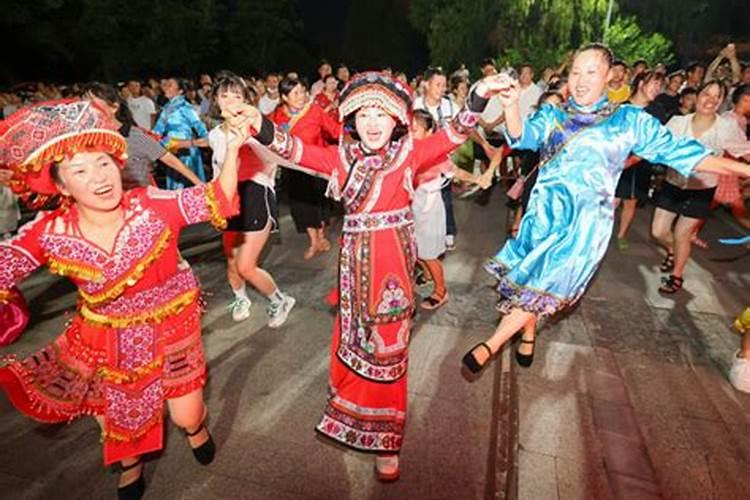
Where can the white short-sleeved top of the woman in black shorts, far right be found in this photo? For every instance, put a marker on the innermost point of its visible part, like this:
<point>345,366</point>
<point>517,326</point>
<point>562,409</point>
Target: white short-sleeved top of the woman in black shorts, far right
<point>723,136</point>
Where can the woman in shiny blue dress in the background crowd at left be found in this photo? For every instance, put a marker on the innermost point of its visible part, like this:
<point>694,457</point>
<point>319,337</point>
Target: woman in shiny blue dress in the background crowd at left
<point>178,121</point>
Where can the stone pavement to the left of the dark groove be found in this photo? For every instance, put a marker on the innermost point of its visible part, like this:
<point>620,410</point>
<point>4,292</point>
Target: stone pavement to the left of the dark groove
<point>267,389</point>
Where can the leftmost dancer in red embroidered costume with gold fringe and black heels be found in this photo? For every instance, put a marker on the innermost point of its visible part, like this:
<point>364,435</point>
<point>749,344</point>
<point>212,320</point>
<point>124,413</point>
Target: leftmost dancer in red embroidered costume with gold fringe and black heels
<point>135,340</point>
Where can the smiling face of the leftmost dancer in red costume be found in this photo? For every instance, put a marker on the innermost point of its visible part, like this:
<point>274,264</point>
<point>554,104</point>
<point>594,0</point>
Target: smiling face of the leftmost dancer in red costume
<point>92,180</point>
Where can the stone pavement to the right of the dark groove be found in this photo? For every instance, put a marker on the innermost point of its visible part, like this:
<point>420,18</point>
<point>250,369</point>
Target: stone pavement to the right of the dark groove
<point>628,397</point>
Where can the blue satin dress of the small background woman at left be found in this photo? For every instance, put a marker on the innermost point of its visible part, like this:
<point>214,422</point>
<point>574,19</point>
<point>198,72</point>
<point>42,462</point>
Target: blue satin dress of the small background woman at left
<point>178,120</point>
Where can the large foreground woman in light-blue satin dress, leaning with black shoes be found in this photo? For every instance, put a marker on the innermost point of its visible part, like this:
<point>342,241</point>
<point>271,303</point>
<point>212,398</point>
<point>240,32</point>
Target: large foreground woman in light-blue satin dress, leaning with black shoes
<point>566,230</point>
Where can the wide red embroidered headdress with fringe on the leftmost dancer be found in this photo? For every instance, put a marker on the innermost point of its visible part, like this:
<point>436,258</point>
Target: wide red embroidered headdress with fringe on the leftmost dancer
<point>34,138</point>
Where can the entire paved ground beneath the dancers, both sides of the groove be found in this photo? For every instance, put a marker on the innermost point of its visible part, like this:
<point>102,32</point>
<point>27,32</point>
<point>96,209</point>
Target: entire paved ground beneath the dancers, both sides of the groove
<point>627,398</point>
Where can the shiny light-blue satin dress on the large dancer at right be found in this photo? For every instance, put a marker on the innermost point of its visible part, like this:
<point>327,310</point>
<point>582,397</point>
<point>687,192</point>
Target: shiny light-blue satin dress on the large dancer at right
<point>566,229</point>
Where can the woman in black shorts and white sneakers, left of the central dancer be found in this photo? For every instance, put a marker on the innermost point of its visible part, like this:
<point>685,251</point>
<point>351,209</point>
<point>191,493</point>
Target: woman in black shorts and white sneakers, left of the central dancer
<point>248,232</point>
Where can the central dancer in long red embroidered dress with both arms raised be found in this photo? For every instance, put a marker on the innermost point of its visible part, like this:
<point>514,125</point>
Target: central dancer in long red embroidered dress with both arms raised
<point>373,176</point>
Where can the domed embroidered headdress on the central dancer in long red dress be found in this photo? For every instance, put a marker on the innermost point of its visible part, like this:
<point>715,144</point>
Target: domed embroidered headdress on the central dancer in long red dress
<point>380,90</point>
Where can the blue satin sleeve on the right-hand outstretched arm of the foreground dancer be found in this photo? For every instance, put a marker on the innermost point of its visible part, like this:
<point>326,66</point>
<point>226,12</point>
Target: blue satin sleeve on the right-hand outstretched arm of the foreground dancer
<point>655,143</point>
